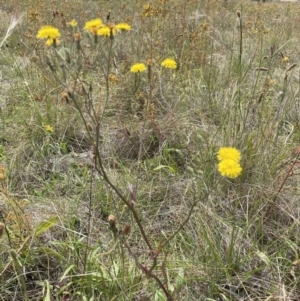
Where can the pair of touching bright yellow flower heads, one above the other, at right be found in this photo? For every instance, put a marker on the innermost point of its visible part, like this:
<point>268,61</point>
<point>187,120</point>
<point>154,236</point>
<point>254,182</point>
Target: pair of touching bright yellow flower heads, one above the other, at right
<point>229,165</point>
